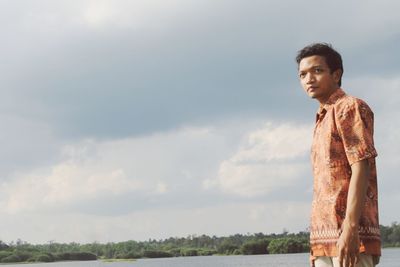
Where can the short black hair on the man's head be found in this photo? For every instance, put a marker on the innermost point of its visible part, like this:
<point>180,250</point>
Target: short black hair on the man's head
<point>332,58</point>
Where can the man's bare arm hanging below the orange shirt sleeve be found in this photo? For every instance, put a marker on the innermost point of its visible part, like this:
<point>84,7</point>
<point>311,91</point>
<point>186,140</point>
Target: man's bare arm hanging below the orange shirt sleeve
<point>349,241</point>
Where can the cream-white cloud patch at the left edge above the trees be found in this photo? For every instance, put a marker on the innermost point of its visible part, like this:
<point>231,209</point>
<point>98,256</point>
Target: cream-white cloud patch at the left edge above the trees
<point>67,183</point>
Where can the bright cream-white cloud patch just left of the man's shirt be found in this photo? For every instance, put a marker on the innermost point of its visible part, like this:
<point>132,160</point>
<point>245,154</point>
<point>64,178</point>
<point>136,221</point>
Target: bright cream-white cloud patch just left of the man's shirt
<point>269,159</point>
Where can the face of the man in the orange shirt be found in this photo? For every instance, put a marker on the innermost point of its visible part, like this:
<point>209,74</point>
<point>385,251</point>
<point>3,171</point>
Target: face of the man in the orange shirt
<point>317,79</point>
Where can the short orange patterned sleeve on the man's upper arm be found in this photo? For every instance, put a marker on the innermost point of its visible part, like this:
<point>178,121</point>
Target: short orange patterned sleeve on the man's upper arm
<point>355,122</point>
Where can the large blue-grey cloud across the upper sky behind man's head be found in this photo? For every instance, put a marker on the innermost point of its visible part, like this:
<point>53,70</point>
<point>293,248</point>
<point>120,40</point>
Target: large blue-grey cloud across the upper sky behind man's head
<point>191,64</point>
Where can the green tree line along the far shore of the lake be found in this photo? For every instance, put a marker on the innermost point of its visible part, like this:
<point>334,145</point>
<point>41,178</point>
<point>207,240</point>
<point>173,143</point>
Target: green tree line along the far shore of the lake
<point>192,245</point>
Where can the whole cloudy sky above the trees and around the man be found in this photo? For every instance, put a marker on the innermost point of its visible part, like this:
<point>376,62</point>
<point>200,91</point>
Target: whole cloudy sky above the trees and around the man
<point>138,119</point>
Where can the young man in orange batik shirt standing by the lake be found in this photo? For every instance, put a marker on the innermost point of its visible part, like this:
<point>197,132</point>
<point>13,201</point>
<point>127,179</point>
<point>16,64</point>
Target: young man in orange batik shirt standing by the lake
<point>344,218</point>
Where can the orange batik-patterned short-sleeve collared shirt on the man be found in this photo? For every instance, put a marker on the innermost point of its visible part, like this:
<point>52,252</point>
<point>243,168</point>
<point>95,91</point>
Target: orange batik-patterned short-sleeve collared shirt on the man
<point>343,135</point>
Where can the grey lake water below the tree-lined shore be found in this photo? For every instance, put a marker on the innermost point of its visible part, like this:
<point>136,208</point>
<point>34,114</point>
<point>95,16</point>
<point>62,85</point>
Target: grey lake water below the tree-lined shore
<point>390,258</point>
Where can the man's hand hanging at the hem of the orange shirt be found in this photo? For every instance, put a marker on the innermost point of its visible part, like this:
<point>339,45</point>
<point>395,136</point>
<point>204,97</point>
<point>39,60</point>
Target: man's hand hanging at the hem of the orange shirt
<point>348,247</point>
